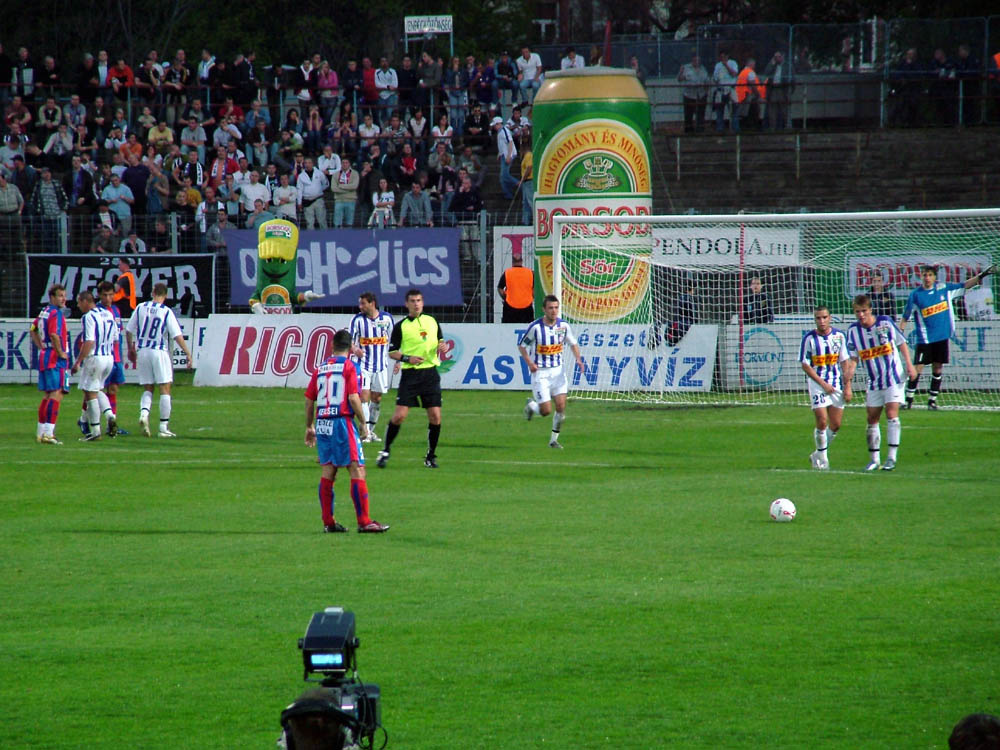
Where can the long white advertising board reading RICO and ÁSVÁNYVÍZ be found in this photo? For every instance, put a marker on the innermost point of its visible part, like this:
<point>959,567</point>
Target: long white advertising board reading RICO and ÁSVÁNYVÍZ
<point>282,350</point>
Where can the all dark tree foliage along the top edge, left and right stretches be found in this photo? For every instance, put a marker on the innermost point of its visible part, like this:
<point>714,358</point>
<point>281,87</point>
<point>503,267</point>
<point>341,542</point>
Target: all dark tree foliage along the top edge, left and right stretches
<point>286,30</point>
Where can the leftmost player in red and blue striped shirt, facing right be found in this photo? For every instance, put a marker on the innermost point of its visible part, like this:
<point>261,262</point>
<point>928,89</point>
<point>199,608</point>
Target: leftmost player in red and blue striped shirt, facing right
<point>51,337</point>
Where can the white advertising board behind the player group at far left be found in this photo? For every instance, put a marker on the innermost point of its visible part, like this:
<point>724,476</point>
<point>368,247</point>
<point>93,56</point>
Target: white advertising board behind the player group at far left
<point>19,357</point>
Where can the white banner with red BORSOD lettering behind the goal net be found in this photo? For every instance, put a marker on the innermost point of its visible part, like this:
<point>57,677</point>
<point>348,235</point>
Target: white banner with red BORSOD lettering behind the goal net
<point>901,273</point>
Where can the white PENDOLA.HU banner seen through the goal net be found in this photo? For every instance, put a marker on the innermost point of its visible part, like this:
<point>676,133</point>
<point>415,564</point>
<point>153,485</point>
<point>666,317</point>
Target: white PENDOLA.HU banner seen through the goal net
<point>692,245</point>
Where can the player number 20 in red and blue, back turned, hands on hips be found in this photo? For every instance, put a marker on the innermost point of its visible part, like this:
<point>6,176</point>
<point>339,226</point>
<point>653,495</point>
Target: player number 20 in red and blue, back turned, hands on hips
<point>332,403</point>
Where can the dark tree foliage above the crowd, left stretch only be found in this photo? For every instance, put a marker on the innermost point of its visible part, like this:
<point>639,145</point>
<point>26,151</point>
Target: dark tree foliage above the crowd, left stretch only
<point>279,31</point>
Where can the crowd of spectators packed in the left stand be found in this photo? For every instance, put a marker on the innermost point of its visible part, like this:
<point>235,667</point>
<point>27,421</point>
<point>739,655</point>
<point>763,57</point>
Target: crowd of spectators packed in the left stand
<point>211,143</point>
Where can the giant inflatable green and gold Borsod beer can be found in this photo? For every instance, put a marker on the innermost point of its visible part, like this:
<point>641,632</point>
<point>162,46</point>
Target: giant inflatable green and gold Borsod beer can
<point>592,153</point>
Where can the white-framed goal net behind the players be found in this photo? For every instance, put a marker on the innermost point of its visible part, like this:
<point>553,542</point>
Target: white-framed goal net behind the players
<point>713,309</point>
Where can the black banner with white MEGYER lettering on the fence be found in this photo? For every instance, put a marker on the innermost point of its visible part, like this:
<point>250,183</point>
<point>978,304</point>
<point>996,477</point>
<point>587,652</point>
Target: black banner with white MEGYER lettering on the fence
<point>189,278</point>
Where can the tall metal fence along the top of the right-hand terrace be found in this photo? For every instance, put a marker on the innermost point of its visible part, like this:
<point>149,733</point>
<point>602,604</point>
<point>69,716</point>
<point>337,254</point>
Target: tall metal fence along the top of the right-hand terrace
<point>844,74</point>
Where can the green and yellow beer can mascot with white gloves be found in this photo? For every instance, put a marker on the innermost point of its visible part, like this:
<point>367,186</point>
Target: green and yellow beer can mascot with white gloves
<point>277,249</point>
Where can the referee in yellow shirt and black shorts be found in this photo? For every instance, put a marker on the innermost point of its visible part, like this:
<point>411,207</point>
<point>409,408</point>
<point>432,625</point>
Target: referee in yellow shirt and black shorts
<point>417,343</point>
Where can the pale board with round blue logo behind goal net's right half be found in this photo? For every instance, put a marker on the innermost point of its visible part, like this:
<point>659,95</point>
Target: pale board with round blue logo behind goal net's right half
<point>770,355</point>
